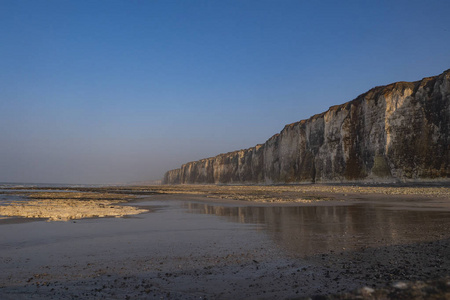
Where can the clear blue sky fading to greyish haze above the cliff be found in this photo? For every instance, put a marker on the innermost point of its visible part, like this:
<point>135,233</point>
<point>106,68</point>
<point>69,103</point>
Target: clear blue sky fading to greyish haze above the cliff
<point>120,91</point>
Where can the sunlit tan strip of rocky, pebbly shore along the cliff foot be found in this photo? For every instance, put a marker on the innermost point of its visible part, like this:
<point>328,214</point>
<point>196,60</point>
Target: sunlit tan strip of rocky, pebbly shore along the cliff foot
<point>430,197</point>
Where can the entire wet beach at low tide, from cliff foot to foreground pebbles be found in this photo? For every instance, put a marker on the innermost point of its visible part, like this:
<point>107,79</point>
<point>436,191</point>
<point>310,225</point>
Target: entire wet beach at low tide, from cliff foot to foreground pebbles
<point>223,242</point>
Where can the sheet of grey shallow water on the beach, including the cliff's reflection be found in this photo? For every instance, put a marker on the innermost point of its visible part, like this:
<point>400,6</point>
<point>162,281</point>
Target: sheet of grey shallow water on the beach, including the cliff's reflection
<point>230,251</point>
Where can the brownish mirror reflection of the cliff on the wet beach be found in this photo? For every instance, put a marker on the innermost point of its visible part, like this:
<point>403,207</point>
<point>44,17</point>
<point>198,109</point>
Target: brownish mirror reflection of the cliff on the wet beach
<point>311,230</point>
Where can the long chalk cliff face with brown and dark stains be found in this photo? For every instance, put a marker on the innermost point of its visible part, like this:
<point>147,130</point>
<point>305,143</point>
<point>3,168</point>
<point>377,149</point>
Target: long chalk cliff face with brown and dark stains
<point>398,132</point>
